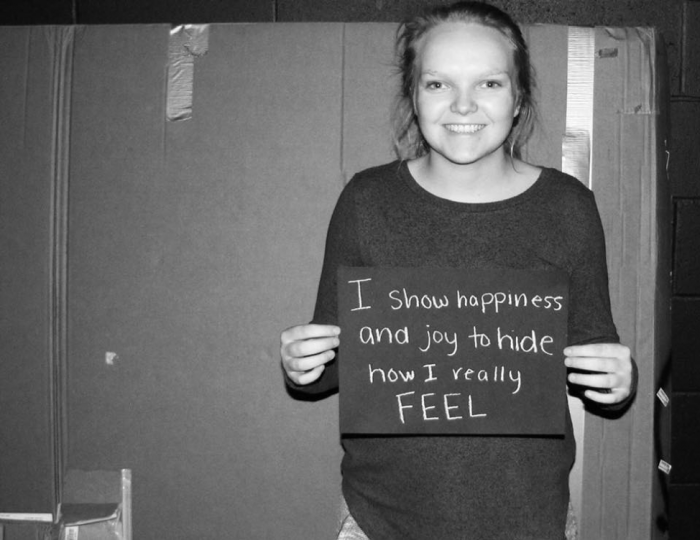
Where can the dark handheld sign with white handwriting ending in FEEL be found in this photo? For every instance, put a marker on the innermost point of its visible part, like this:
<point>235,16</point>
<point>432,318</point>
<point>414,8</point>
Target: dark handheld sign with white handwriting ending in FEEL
<point>452,351</point>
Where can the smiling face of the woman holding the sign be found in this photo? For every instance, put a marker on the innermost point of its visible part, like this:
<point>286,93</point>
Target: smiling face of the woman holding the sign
<point>466,98</point>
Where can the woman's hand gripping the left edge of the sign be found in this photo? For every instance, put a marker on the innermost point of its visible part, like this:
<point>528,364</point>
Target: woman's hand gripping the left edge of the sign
<point>306,349</point>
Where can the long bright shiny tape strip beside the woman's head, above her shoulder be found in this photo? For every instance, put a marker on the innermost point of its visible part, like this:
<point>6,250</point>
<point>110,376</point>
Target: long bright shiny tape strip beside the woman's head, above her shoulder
<point>577,143</point>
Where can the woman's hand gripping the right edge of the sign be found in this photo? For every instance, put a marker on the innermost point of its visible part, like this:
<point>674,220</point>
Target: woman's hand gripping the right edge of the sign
<point>607,367</point>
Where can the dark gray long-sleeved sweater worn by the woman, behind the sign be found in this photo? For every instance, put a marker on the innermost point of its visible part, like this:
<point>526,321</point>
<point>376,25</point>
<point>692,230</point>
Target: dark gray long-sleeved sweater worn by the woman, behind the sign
<point>464,487</point>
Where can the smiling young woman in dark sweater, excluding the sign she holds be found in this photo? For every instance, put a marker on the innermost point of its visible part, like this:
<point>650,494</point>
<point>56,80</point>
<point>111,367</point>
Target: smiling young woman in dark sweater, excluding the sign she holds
<point>460,197</point>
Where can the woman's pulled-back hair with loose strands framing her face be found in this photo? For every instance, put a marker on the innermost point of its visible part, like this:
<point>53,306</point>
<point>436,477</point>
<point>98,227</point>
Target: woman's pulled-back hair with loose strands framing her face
<point>408,140</point>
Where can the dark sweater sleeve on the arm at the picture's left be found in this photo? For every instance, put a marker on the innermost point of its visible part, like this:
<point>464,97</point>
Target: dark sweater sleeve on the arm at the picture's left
<point>342,249</point>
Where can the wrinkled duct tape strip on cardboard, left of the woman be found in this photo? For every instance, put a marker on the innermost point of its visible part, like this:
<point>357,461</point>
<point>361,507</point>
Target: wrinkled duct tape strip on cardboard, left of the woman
<point>187,42</point>
